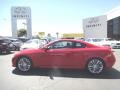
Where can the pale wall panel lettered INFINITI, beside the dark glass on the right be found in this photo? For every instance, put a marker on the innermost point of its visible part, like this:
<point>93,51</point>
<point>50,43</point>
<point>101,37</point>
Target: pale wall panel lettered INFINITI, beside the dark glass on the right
<point>95,27</point>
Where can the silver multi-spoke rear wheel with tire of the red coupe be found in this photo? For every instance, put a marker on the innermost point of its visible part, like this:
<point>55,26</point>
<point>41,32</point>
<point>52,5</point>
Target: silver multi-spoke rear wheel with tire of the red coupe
<point>95,66</point>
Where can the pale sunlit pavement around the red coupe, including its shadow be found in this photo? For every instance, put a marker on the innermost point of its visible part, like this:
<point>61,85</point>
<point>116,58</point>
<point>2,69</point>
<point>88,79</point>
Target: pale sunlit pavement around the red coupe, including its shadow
<point>57,79</point>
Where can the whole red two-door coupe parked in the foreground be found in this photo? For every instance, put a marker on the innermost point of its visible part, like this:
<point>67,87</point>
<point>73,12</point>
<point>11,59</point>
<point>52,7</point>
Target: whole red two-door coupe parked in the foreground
<point>66,54</point>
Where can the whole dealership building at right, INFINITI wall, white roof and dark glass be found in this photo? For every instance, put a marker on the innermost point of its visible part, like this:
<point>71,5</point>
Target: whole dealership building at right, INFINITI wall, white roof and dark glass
<point>104,26</point>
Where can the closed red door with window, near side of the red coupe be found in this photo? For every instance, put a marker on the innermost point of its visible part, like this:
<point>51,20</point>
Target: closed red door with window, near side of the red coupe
<point>58,53</point>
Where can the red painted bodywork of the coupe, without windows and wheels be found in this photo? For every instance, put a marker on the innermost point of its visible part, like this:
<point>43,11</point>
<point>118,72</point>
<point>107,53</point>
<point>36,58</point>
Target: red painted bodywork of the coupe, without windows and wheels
<point>66,57</point>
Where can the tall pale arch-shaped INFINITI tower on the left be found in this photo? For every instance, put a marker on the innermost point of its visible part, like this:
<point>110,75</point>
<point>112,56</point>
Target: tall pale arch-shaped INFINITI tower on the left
<point>23,13</point>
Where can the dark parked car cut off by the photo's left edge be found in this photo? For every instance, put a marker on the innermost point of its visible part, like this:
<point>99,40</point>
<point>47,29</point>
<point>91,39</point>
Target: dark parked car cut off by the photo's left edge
<point>4,46</point>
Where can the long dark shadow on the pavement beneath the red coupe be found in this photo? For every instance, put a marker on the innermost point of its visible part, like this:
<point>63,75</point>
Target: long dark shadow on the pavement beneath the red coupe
<point>109,74</point>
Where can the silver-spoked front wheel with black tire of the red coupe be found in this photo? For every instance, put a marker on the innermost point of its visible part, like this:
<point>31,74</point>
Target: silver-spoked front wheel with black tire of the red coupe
<point>24,64</point>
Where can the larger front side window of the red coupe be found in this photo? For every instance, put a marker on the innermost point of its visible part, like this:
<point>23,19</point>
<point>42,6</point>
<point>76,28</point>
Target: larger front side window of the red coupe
<point>61,44</point>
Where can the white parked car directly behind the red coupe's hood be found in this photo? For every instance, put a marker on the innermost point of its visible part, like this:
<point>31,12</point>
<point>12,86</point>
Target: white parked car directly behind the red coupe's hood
<point>33,43</point>
